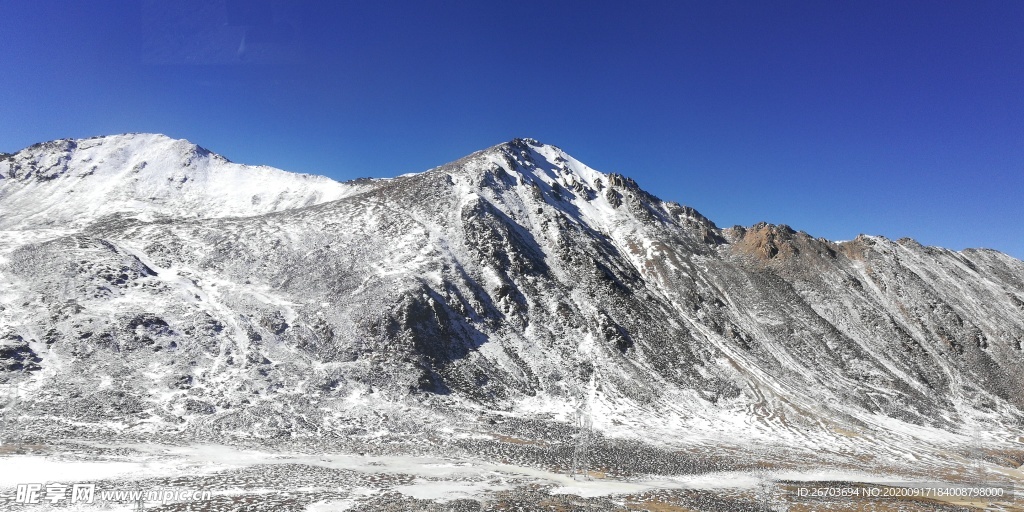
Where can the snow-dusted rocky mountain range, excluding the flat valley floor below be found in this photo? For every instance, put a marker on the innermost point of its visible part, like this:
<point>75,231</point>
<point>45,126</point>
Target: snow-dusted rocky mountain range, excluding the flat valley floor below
<point>226,301</point>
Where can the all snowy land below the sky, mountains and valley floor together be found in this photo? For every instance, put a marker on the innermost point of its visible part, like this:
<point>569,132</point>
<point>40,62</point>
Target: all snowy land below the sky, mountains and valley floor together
<point>511,331</point>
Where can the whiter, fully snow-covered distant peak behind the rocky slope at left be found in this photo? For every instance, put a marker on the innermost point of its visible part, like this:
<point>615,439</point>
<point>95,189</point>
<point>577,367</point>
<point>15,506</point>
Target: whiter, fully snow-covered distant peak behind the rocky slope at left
<point>73,183</point>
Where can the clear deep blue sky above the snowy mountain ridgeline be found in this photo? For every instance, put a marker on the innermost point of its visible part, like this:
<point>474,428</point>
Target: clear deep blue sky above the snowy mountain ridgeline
<point>894,118</point>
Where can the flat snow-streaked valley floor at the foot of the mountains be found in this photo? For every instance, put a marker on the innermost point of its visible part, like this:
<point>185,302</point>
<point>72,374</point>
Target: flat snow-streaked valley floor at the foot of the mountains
<point>309,477</point>
